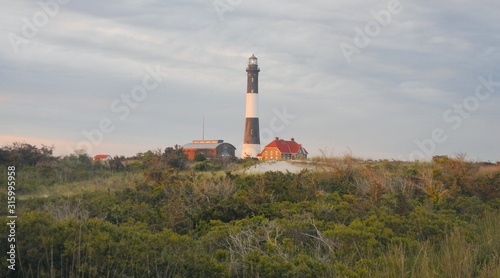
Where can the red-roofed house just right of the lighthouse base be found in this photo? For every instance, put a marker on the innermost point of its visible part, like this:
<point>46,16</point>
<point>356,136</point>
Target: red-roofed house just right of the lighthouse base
<point>280,149</point>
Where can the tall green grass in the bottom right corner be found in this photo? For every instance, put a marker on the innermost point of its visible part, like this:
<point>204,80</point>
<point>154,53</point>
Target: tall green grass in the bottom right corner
<point>463,253</point>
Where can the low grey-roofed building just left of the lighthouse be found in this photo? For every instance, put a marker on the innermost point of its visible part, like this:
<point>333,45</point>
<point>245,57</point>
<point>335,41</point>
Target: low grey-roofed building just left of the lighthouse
<point>209,149</point>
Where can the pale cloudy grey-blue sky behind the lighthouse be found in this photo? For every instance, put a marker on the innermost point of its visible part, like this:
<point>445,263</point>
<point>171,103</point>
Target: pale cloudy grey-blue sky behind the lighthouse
<point>375,79</point>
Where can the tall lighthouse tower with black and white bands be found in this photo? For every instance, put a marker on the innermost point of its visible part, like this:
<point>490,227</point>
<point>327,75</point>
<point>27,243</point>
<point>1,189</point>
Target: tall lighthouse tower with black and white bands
<point>251,140</point>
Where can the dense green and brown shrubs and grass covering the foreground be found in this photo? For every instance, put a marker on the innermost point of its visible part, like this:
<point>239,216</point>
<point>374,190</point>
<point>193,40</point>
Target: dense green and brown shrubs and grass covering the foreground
<point>354,218</point>
